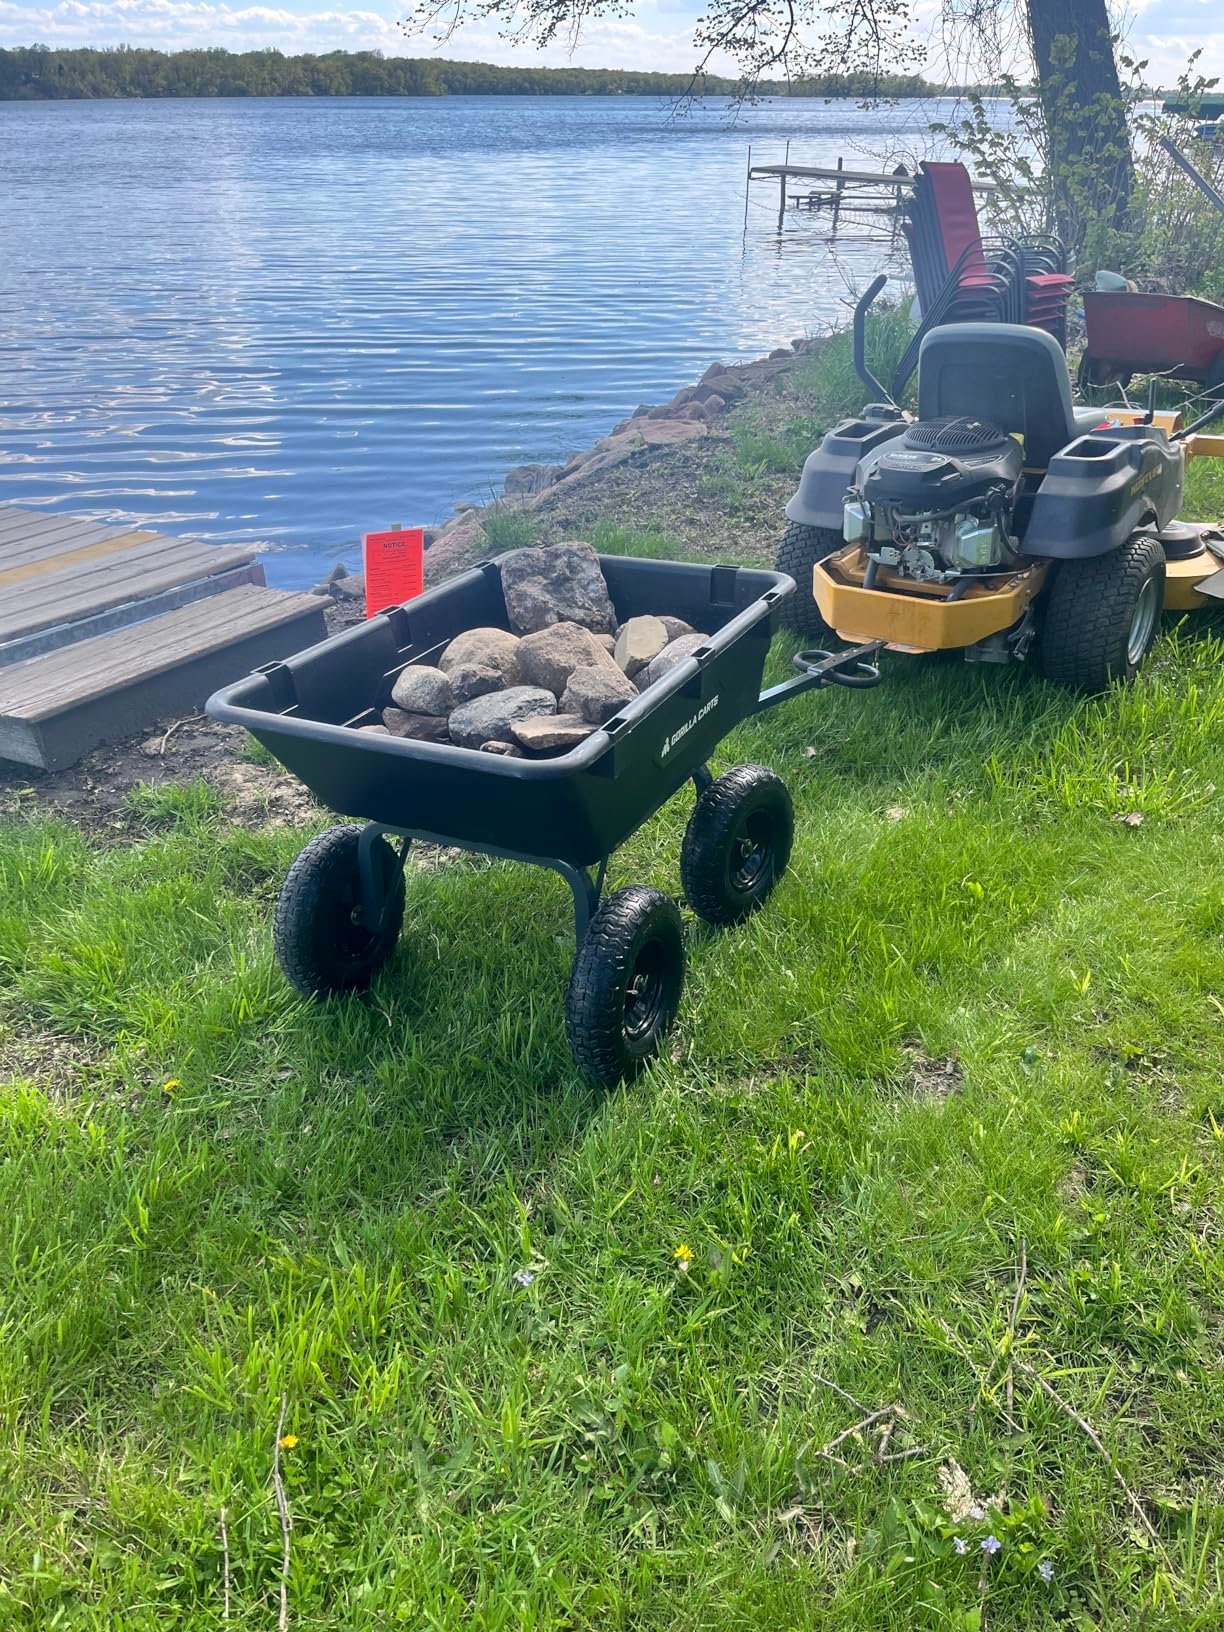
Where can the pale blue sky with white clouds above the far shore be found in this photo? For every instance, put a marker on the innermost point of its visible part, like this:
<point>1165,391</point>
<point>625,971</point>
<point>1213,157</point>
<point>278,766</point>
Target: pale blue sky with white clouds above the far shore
<point>660,37</point>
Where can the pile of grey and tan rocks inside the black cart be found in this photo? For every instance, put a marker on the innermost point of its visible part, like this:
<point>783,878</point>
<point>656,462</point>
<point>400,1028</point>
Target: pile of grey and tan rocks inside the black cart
<point>556,676</point>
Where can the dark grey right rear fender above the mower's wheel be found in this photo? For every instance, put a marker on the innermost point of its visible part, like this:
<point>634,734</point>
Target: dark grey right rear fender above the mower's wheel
<point>1101,489</point>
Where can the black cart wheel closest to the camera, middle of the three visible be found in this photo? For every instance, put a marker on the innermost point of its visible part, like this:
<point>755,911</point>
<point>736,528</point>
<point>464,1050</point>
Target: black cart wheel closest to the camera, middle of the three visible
<point>626,985</point>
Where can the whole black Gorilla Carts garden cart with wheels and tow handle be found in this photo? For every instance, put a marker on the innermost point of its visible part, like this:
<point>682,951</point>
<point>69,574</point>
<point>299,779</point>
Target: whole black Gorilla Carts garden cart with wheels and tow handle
<point>342,908</point>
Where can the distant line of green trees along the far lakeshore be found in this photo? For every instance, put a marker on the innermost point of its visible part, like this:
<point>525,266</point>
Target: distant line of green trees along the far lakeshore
<point>38,73</point>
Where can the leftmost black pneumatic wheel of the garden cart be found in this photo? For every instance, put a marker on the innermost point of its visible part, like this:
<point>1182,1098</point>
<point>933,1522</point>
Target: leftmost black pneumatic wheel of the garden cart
<point>317,933</point>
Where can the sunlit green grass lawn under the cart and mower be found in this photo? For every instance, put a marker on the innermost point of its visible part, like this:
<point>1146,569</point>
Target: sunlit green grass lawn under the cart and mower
<point>557,1359</point>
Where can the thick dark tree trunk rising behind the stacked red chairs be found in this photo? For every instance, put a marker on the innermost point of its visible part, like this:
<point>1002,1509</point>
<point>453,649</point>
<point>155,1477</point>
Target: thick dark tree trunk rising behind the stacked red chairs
<point>1089,156</point>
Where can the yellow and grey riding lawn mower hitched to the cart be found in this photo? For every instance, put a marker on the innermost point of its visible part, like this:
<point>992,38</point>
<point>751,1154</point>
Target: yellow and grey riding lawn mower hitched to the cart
<point>1001,520</point>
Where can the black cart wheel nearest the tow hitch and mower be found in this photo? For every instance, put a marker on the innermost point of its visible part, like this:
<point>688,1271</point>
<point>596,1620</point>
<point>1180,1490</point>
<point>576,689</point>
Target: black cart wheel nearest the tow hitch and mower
<point>737,845</point>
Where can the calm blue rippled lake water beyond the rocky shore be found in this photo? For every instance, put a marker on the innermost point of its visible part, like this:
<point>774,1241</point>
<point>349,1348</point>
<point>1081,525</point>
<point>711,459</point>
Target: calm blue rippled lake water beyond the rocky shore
<point>296,321</point>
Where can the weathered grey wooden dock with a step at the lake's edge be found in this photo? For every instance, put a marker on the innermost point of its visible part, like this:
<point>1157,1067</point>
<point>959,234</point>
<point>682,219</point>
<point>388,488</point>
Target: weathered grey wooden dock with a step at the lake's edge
<point>105,631</point>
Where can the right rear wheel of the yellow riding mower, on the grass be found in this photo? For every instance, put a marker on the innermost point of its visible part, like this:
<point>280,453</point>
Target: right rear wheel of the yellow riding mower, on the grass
<point>1102,616</point>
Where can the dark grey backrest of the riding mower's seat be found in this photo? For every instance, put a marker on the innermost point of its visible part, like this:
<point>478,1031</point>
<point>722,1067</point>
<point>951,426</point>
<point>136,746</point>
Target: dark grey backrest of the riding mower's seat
<point>1003,373</point>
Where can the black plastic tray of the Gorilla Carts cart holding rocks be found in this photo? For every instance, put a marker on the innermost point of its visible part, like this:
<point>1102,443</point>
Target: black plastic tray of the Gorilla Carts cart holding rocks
<point>577,807</point>
